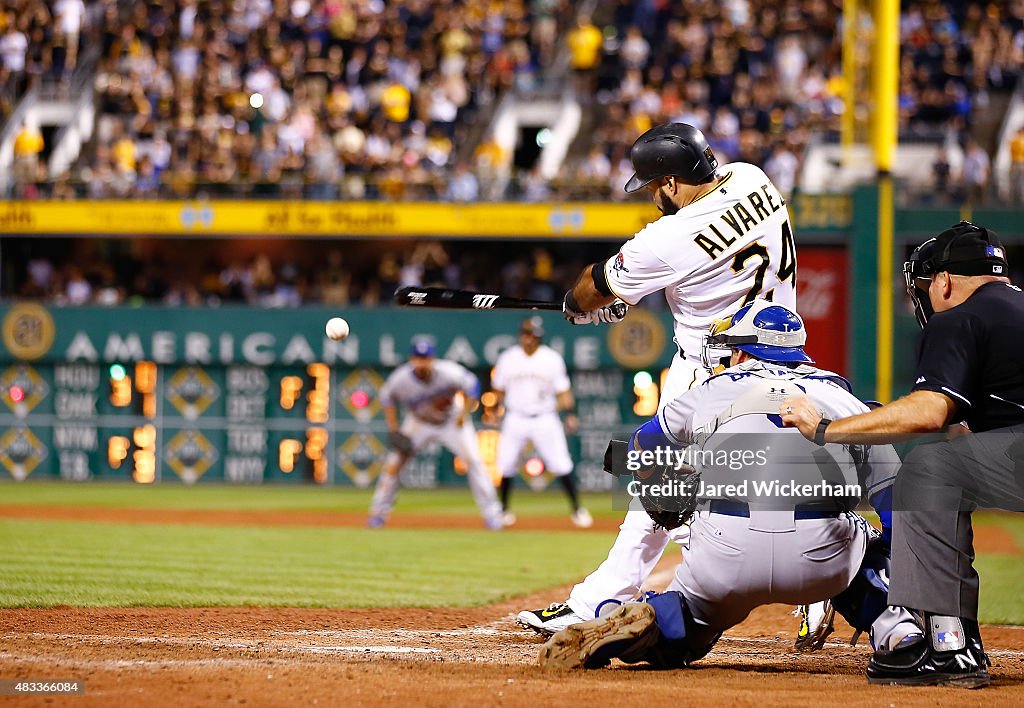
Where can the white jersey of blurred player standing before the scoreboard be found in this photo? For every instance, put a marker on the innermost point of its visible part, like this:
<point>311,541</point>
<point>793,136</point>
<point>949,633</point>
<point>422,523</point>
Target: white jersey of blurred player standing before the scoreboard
<point>531,383</point>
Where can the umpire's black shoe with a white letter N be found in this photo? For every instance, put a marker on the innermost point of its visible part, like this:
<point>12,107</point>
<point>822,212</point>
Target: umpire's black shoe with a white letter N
<point>950,654</point>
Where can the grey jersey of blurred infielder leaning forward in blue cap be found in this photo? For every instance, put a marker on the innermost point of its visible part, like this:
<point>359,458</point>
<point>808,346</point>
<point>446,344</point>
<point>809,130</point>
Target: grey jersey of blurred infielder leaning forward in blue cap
<point>432,401</point>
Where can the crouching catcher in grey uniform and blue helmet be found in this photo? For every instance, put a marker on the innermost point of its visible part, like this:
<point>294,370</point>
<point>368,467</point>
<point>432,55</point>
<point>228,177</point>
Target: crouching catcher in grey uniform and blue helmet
<point>753,544</point>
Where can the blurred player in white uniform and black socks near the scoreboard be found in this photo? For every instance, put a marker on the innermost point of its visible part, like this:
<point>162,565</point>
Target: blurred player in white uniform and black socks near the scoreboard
<point>532,381</point>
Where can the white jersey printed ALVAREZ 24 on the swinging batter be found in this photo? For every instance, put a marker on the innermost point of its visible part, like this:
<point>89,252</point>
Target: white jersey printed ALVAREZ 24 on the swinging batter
<point>732,245</point>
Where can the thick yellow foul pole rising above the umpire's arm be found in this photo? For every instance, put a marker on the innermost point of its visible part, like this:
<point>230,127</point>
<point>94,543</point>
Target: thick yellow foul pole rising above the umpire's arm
<point>885,89</point>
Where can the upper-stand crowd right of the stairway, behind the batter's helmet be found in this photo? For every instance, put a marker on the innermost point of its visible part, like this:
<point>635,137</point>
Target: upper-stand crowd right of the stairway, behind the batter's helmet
<point>761,79</point>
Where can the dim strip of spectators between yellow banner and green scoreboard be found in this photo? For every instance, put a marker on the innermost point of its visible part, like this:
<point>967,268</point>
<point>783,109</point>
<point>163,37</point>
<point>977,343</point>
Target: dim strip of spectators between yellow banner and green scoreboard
<point>357,275</point>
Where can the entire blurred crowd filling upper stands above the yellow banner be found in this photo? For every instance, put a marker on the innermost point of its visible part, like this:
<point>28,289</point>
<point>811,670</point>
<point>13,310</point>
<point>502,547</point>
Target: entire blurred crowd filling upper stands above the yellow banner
<point>388,100</point>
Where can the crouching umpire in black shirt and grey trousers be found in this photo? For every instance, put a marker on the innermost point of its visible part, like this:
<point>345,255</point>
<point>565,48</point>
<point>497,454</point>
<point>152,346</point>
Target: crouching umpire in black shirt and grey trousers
<point>970,369</point>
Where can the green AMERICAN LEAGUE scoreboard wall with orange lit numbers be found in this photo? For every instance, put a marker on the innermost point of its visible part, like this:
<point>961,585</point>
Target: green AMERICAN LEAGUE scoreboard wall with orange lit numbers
<point>251,396</point>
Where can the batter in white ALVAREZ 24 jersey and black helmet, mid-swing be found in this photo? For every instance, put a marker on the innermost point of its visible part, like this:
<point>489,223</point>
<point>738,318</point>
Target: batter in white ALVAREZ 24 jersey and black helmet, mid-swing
<point>724,239</point>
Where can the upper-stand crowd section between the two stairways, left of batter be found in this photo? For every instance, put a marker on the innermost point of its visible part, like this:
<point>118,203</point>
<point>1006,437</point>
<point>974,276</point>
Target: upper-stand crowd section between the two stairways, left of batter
<point>322,99</point>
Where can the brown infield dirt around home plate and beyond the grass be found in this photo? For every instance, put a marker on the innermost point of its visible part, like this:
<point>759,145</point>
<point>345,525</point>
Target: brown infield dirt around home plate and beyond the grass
<point>433,657</point>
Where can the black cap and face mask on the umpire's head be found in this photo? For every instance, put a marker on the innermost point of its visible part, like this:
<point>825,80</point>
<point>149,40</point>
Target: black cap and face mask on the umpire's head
<point>962,251</point>
